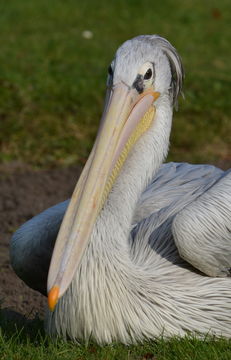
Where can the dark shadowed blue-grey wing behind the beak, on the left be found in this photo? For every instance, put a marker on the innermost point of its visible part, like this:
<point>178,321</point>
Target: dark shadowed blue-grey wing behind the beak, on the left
<point>32,245</point>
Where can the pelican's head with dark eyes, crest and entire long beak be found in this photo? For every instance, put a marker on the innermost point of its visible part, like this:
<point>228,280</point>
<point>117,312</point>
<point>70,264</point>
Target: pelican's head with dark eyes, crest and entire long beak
<point>145,72</point>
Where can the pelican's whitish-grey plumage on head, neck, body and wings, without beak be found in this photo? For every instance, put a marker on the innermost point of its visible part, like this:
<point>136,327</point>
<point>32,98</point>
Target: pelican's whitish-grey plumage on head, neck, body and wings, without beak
<point>158,257</point>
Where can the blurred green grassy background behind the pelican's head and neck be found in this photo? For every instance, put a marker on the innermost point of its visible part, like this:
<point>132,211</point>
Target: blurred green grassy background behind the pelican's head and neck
<point>54,57</point>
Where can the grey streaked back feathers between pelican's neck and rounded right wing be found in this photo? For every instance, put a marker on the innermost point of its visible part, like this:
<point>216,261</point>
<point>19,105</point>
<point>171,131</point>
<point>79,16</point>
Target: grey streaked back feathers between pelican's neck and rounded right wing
<point>176,186</point>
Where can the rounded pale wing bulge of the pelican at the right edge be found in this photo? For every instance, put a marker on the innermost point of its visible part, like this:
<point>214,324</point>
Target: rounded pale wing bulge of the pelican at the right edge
<point>202,230</point>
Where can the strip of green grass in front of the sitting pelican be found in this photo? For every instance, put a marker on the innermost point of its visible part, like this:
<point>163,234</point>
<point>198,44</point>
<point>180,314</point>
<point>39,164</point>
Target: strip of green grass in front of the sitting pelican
<point>31,343</point>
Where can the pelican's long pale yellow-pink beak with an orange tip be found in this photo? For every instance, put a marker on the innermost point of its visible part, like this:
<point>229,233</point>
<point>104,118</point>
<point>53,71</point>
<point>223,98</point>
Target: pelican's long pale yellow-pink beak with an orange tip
<point>127,115</point>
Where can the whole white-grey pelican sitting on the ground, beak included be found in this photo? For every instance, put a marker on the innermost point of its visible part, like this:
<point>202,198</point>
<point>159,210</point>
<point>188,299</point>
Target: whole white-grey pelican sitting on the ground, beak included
<point>144,248</point>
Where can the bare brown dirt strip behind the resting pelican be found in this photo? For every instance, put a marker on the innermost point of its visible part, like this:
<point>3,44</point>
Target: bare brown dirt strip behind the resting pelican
<point>24,193</point>
